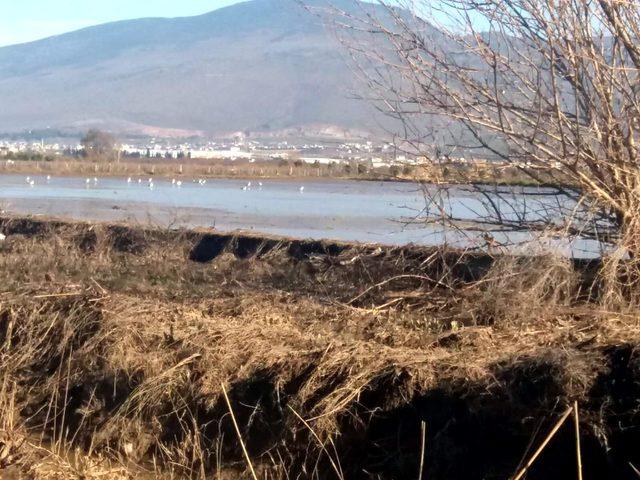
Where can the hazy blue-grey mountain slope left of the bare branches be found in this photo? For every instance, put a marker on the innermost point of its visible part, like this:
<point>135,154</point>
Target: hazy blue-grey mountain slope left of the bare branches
<point>260,66</point>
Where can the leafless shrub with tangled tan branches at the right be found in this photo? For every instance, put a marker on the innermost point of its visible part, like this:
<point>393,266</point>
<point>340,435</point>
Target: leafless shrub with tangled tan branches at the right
<point>547,88</point>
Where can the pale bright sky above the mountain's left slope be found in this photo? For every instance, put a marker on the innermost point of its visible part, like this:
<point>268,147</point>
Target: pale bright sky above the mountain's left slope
<point>26,20</point>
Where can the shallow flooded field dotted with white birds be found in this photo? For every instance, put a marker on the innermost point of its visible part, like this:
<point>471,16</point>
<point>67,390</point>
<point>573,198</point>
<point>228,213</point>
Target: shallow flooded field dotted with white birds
<point>382,212</point>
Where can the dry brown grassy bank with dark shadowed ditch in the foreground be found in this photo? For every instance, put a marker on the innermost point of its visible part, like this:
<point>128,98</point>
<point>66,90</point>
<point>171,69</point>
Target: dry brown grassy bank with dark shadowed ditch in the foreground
<point>119,343</point>
